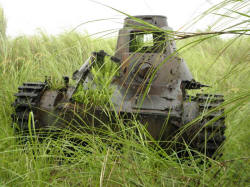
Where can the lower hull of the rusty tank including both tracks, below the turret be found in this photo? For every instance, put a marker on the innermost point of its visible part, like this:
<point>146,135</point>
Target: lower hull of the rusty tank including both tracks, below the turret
<point>53,111</point>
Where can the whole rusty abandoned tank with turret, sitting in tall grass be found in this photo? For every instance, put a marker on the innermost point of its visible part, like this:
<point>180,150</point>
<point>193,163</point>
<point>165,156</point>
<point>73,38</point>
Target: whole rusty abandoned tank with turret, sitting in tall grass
<point>151,86</point>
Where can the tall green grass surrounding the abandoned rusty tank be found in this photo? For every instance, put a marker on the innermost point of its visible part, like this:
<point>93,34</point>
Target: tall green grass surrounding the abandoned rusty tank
<point>221,63</point>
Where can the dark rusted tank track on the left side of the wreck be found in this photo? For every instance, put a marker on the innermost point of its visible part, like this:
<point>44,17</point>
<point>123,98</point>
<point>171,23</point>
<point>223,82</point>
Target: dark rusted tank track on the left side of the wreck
<point>27,100</point>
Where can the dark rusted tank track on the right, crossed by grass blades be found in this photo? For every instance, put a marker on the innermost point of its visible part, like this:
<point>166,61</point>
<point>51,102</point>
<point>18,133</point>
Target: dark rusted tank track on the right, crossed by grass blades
<point>211,128</point>
